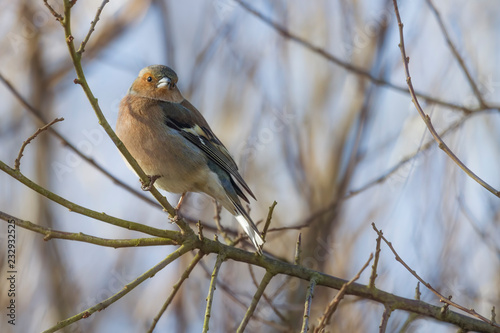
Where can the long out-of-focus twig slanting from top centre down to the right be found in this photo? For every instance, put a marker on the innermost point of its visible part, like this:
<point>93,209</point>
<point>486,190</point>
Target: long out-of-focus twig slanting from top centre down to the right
<point>283,31</point>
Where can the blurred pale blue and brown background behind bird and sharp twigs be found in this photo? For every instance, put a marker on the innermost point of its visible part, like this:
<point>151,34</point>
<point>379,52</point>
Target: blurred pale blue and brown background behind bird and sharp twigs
<point>335,148</point>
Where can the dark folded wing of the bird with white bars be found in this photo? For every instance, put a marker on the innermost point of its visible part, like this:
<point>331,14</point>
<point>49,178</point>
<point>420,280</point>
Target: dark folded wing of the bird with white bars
<point>189,122</point>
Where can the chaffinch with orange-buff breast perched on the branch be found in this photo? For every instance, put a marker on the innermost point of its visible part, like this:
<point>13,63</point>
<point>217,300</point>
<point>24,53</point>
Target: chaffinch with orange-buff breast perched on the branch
<point>175,146</point>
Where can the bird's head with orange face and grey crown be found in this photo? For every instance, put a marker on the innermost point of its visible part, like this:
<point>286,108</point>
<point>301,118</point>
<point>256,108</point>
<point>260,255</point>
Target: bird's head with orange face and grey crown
<point>158,82</point>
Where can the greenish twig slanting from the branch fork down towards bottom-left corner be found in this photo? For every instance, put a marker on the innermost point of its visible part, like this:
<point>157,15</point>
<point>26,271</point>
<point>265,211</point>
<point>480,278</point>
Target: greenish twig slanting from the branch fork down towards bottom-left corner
<point>125,290</point>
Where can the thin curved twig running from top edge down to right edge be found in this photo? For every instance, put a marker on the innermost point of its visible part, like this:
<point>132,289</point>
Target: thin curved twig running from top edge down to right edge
<point>426,117</point>
